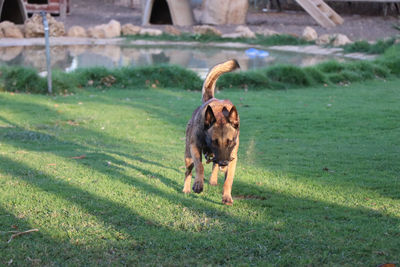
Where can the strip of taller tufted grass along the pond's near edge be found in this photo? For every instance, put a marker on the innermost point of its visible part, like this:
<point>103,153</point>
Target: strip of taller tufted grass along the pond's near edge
<point>21,79</point>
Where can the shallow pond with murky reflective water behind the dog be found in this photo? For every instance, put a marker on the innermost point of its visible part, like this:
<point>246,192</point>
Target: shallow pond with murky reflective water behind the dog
<point>196,58</point>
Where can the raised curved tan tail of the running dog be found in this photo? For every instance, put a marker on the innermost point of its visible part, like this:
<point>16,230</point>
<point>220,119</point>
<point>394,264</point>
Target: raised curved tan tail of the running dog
<point>213,75</point>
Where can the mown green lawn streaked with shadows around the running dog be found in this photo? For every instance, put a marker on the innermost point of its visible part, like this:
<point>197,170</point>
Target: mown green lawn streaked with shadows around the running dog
<point>100,174</point>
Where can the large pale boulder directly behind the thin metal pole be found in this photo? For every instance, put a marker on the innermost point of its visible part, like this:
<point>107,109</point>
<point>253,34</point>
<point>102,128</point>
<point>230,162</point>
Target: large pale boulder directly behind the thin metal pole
<point>34,26</point>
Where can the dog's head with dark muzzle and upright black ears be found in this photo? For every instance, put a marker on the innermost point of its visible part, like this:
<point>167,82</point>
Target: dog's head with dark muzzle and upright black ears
<point>222,130</point>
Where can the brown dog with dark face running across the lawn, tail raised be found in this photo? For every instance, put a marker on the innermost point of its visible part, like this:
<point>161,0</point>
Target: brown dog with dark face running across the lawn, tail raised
<point>213,131</point>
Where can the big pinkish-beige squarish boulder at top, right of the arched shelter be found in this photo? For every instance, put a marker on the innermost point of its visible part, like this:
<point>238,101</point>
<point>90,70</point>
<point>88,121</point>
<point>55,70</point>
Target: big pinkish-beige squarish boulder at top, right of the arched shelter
<point>224,12</point>
